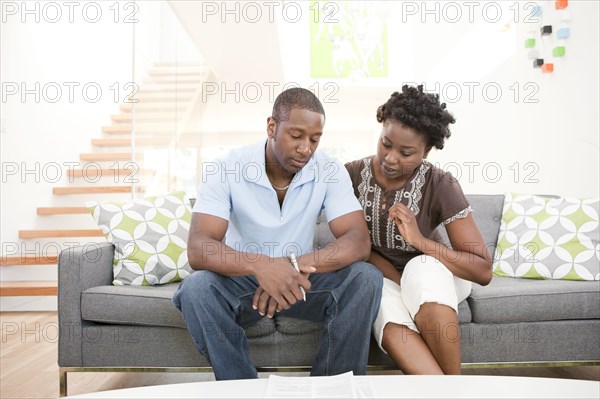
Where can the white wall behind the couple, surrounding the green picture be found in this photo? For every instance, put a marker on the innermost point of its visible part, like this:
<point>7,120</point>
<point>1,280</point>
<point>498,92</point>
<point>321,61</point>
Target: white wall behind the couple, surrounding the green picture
<point>544,141</point>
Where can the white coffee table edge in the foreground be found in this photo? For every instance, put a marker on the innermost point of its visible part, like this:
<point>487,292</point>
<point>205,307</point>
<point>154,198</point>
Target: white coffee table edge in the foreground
<point>383,387</point>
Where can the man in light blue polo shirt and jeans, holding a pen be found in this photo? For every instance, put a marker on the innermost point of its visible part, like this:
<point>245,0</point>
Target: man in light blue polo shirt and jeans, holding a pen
<point>267,198</point>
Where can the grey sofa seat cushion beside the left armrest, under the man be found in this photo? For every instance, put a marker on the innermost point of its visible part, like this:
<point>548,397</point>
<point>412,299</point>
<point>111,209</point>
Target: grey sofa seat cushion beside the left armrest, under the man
<point>144,306</point>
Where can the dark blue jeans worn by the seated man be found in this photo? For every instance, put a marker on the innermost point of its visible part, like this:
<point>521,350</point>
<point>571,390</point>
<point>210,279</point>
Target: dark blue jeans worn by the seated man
<point>216,309</point>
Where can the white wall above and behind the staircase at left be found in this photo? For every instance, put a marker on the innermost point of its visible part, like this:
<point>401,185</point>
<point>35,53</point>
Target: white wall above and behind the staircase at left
<point>41,132</point>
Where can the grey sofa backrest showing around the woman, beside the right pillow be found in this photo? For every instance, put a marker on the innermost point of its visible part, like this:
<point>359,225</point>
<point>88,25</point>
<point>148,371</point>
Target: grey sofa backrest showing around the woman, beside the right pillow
<point>487,214</point>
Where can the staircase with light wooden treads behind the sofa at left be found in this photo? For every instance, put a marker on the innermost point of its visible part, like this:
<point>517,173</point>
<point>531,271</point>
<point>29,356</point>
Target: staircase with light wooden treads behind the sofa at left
<point>165,99</point>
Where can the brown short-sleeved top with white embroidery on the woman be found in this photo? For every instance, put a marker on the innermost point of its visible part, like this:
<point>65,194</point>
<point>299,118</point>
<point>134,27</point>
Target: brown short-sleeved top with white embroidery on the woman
<point>434,196</point>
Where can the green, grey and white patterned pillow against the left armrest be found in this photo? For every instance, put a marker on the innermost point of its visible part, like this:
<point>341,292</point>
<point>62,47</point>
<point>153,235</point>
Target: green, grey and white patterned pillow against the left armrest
<point>150,237</point>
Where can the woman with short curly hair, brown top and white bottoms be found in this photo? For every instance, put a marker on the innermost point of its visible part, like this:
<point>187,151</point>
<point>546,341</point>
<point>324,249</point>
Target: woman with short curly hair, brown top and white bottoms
<point>405,198</point>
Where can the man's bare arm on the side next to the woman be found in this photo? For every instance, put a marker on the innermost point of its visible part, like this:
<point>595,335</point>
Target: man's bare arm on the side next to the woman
<point>352,244</point>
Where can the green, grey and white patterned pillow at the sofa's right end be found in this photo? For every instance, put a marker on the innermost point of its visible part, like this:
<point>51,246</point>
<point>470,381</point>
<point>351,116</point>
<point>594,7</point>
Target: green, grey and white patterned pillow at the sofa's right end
<point>548,238</point>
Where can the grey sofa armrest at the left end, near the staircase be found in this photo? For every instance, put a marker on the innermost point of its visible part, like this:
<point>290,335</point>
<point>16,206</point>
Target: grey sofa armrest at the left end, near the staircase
<point>79,268</point>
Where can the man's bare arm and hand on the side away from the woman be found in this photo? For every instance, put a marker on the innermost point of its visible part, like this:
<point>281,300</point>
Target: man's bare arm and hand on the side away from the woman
<point>276,276</point>
